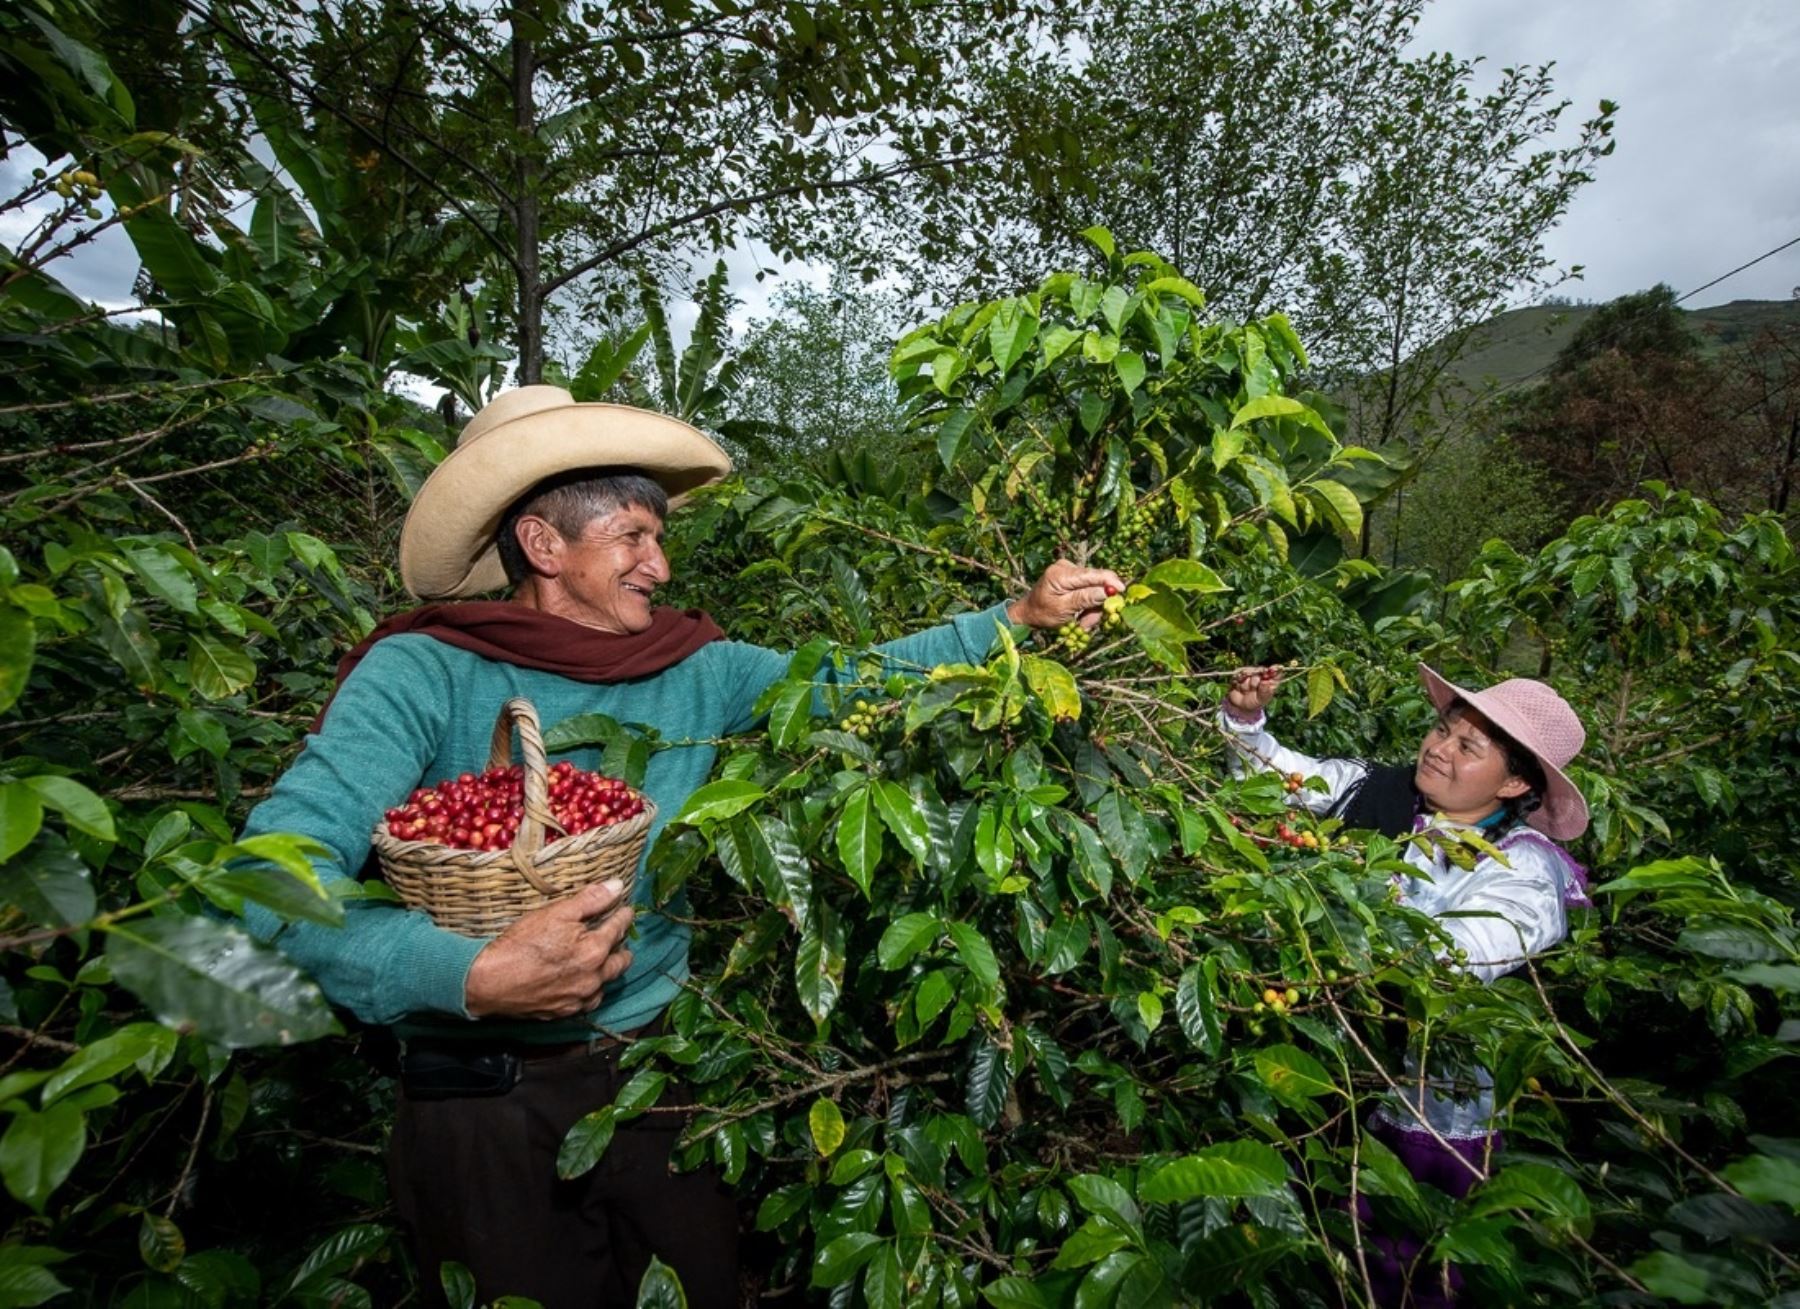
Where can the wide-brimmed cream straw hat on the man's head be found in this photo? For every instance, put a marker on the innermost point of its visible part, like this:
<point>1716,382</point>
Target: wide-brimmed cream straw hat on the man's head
<point>516,442</point>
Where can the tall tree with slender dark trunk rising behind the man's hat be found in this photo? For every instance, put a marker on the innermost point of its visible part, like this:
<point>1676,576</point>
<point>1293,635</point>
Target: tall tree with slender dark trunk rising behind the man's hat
<point>579,143</point>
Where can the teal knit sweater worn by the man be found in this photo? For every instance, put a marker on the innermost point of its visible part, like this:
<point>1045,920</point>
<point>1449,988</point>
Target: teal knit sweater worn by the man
<point>417,712</point>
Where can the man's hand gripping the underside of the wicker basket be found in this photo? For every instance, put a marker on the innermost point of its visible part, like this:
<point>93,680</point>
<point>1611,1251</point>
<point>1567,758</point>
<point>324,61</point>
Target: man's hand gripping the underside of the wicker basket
<point>552,962</point>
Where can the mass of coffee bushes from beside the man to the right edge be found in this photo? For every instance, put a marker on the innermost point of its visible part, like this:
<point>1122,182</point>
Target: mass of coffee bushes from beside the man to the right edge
<point>1011,995</point>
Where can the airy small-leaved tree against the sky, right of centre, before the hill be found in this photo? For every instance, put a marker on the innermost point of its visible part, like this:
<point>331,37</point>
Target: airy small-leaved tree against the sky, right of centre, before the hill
<point>1300,156</point>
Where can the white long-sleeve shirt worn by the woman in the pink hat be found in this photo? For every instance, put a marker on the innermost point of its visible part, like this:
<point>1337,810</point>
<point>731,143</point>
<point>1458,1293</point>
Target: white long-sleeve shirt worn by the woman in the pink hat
<point>1522,903</point>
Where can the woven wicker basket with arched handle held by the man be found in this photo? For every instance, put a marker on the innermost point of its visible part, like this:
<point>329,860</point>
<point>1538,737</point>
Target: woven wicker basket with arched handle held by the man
<point>480,892</point>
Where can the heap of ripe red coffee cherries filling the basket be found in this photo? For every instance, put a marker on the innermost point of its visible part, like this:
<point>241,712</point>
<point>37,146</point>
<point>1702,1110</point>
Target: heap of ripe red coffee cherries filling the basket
<point>483,813</point>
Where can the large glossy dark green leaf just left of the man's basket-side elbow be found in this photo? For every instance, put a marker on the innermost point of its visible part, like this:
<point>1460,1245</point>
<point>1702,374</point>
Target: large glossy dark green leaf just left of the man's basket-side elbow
<point>215,979</point>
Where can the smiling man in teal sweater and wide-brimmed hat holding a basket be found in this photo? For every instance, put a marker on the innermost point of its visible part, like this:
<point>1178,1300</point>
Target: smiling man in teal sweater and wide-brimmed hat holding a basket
<point>508,1042</point>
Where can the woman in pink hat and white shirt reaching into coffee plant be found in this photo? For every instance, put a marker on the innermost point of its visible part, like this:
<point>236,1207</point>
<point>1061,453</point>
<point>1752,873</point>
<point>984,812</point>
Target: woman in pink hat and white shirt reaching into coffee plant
<point>1493,766</point>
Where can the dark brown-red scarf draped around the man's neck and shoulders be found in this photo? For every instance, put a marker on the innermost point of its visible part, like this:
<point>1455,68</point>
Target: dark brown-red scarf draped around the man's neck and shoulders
<point>516,635</point>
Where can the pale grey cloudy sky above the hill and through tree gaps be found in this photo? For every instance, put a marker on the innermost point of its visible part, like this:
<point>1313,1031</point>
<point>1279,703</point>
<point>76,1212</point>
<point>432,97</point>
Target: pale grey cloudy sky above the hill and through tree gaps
<point>1705,177</point>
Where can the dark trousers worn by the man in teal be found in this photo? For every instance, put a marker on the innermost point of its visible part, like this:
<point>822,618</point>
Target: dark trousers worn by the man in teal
<point>476,1182</point>
